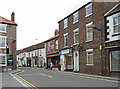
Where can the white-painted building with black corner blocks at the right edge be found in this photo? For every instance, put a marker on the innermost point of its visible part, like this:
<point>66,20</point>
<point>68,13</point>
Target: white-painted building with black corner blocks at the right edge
<point>112,41</point>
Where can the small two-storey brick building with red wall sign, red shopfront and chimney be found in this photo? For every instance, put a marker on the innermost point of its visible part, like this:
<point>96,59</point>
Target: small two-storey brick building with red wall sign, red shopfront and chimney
<point>52,50</point>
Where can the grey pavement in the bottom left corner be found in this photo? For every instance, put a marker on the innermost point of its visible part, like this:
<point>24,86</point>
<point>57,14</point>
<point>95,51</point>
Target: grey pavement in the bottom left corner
<point>9,81</point>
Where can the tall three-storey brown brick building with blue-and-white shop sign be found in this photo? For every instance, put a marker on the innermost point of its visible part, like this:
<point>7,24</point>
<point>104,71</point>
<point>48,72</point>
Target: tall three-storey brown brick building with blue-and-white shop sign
<point>78,44</point>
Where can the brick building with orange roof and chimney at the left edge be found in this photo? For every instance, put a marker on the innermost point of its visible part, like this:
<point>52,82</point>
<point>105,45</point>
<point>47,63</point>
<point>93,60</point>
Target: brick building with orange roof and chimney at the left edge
<point>8,37</point>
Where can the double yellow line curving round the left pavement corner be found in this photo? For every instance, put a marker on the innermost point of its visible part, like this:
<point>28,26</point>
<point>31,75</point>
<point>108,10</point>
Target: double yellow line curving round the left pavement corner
<point>24,81</point>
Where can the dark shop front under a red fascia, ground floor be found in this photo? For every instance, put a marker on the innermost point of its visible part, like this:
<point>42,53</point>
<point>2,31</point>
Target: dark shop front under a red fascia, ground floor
<point>54,58</point>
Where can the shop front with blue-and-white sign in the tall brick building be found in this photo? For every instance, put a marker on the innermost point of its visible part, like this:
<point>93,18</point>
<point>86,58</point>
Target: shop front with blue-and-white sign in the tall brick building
<point>66,59</point>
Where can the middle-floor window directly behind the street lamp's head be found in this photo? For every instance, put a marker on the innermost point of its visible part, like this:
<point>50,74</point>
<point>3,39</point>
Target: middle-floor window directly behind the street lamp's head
<point>89,32</point>
